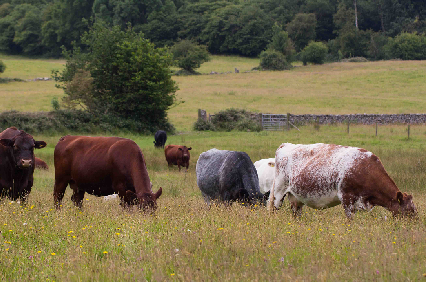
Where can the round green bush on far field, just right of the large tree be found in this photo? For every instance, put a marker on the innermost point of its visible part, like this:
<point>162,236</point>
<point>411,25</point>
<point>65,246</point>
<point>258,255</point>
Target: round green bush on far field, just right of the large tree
<point>189,55</point>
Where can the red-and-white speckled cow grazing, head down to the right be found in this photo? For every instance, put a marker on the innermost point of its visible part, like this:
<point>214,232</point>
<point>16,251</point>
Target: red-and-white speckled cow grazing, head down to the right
<point>325,175</point>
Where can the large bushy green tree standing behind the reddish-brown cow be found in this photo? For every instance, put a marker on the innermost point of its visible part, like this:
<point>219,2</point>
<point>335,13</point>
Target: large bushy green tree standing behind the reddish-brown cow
<point>129,78</point>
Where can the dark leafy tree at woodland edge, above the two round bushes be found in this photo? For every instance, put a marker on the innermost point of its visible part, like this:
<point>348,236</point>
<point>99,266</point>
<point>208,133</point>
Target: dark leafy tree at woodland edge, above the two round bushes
<point>302,30</point>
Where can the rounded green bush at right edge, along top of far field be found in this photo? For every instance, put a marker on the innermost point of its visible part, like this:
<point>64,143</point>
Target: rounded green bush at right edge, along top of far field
<point>408,46</point>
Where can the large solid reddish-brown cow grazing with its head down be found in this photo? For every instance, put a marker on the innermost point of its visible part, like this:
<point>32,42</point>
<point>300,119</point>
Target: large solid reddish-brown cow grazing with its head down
<point>102,166</point>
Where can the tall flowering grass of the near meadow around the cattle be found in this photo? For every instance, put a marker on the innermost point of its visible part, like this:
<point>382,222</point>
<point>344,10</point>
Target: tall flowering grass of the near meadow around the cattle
<point>187,241</point>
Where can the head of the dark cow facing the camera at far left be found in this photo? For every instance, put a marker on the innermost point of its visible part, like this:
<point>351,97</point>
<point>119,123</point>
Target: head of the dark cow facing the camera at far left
<point>22,147</point>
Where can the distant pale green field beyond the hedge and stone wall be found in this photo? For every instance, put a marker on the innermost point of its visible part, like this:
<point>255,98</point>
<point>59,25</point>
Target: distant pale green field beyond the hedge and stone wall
<point>337,88</point>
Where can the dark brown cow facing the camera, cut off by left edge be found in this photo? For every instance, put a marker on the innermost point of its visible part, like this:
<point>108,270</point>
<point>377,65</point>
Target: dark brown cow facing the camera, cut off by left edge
<point>17,163</point>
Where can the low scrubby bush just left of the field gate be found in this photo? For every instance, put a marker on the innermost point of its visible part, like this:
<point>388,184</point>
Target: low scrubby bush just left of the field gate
<point>235,119</point>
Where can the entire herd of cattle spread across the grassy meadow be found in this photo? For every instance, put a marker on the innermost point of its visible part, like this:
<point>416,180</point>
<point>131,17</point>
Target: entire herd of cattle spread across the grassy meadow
<point>316,175</point>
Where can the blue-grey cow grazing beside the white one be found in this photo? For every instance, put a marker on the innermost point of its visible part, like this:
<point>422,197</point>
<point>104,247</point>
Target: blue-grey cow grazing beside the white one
<point>227,176</point>
